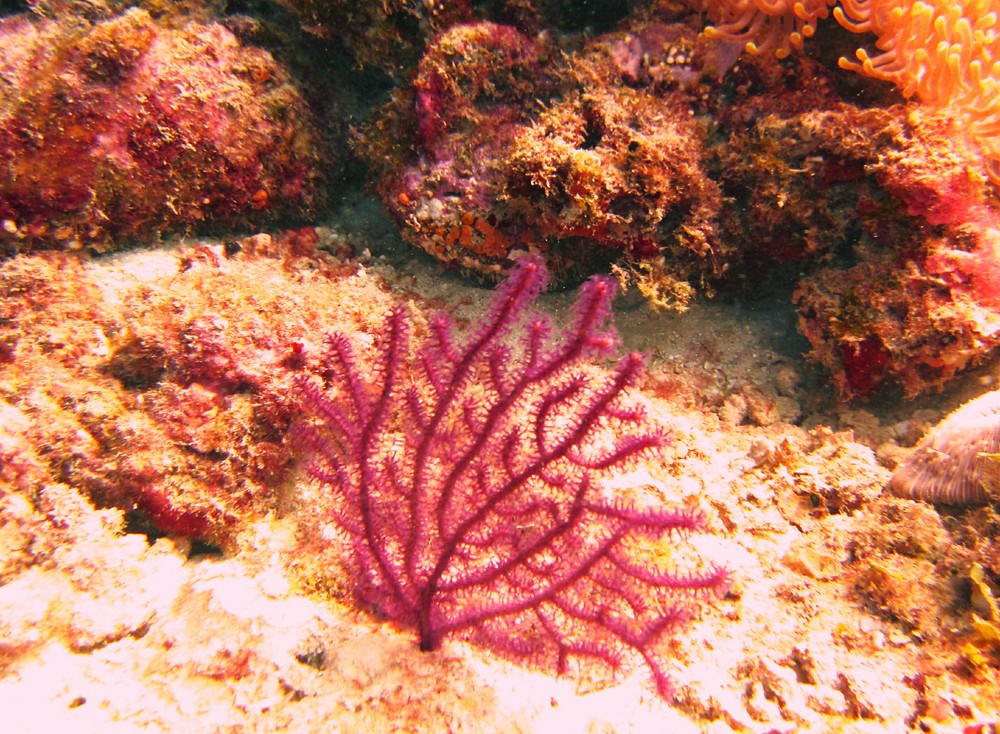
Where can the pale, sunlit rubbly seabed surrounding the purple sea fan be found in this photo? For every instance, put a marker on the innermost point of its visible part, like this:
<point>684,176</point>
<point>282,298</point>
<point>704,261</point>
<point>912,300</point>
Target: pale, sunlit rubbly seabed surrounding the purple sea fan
<point>851,609</point>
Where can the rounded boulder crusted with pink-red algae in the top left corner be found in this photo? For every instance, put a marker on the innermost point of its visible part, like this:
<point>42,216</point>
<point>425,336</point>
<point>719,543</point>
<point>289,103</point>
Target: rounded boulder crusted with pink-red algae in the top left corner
<point>124,128</point>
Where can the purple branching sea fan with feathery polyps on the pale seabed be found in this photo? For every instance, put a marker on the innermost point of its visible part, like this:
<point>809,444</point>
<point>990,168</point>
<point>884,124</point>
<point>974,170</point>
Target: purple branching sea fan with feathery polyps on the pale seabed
<point>467,477</point>
